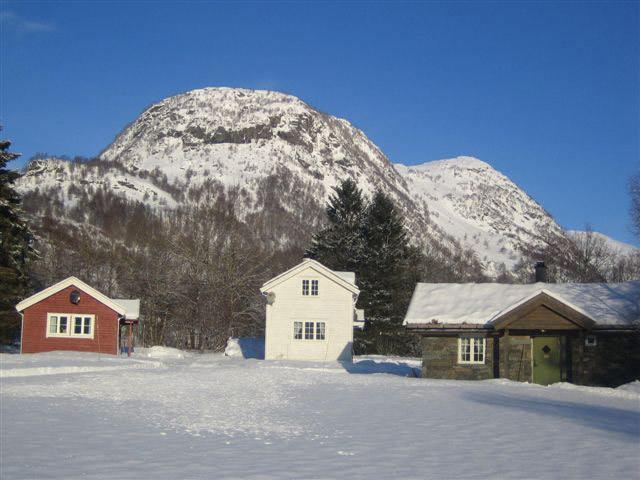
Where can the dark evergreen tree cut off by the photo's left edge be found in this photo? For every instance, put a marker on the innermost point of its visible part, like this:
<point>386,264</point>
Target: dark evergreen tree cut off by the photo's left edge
<point>15,246</point>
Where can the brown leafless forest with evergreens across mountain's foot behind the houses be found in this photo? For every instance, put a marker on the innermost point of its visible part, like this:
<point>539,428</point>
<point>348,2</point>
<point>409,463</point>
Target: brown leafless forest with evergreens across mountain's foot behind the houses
<point>197,268</point>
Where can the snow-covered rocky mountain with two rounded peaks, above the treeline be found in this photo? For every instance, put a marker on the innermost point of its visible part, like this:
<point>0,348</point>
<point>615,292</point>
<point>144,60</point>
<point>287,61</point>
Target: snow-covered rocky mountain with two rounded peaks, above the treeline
<point>273,149</point>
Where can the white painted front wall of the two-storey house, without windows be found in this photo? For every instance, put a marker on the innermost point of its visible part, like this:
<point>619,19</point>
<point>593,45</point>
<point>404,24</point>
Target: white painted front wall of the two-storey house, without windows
<point>334,305</point>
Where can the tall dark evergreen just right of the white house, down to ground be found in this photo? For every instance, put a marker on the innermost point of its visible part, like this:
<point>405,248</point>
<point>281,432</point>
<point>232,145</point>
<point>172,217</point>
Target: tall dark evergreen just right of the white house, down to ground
<point>388,274</point>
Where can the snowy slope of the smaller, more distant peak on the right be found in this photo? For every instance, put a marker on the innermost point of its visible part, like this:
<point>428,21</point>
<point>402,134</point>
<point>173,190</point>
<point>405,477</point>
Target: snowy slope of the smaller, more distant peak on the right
<point>478,205</point>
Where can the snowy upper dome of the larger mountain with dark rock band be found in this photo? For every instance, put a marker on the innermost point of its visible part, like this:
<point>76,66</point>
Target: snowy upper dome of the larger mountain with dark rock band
<point>240,136</point>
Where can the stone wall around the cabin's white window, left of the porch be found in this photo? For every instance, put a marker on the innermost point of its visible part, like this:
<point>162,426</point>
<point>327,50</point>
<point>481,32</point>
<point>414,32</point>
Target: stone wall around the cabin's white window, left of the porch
<point>440,360</point>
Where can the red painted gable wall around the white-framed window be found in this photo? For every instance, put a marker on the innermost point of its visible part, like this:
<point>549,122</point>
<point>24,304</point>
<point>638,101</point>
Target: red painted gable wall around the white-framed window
<point>34,325</point>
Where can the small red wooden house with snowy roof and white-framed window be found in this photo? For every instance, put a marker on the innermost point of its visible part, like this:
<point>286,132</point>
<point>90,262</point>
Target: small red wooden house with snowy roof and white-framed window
<point>72,315</point>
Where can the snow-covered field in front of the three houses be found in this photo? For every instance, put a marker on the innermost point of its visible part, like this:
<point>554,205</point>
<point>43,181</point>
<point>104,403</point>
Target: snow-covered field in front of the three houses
<point>176,415</point>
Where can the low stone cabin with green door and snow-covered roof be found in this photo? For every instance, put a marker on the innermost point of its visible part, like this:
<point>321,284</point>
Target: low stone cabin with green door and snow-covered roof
<point>588,334</point>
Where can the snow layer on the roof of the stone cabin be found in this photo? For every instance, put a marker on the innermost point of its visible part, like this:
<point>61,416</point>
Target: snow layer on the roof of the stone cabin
<point>480,303</point>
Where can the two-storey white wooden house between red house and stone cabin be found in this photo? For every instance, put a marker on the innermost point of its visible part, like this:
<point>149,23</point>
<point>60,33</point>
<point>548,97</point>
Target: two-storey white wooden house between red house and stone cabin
<point>311,313</point>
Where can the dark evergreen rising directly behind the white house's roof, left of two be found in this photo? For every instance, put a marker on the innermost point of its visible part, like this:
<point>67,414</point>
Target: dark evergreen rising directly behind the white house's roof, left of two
<point>339,245</point>
